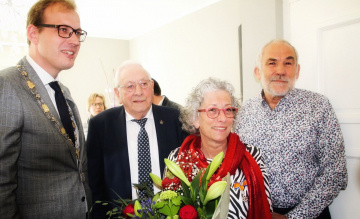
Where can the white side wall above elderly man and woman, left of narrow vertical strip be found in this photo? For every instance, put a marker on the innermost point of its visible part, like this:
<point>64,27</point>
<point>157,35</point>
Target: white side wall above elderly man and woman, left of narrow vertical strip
<point>203,44</point>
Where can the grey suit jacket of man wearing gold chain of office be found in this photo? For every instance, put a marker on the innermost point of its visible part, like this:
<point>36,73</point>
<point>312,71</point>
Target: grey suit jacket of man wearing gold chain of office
<point>39,174</point>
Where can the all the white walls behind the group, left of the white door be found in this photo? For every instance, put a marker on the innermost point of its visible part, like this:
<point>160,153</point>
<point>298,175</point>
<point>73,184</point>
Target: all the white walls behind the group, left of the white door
<point>178,55</point>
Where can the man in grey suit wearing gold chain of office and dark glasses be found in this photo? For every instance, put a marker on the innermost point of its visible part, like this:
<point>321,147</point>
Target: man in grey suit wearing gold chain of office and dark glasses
<point>43,164</point>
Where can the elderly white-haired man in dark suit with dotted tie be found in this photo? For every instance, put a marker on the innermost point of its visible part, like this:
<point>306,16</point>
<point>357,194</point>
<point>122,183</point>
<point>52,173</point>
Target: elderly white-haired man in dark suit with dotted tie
<point>112,137</point>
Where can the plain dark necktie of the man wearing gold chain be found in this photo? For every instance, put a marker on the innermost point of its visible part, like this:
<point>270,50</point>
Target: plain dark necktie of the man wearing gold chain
<point>63,110</point>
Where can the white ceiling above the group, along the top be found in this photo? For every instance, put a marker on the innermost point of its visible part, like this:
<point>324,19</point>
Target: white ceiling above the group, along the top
<point>123,19</point>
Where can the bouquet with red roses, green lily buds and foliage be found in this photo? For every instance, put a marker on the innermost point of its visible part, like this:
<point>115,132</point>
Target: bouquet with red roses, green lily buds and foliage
<point>190,200</point>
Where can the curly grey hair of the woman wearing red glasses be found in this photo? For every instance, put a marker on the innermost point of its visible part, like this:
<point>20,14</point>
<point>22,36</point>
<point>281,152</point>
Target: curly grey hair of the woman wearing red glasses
<point>189,113</point>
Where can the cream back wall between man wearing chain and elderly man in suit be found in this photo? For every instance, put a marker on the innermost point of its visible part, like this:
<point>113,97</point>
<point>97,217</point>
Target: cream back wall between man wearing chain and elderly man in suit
<point>94,69</point>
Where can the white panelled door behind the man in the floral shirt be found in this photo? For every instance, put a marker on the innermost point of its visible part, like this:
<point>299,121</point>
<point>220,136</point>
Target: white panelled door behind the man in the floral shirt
<point>326,34</point>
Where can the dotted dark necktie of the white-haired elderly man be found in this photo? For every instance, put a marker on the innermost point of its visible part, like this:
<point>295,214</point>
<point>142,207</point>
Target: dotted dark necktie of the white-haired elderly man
<point>144,159</point>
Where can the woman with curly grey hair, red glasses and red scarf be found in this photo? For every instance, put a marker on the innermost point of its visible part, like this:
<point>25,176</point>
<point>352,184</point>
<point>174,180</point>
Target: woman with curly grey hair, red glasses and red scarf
<point>209,115</point>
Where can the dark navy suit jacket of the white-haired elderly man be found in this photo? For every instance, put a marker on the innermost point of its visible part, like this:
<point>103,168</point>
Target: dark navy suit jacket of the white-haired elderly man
<point>108,152</point>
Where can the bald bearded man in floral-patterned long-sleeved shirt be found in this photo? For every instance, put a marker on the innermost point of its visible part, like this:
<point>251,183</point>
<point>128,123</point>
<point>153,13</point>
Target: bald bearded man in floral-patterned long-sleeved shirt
<point>299,135</point>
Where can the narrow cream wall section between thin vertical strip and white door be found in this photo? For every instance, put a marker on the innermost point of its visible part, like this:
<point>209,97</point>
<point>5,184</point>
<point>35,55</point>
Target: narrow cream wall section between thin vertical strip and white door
<point>261,22</point>
